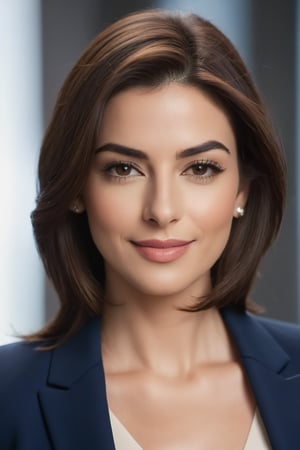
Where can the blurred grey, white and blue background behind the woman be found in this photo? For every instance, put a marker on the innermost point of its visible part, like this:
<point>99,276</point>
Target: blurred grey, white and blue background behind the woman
<point>40,40</point>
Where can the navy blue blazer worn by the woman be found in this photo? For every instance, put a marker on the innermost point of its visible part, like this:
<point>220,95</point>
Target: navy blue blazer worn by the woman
<point>57,399</point>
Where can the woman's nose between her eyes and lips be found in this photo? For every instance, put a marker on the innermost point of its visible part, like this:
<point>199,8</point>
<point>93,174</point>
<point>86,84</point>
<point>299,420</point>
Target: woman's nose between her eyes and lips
<point>162,203</point>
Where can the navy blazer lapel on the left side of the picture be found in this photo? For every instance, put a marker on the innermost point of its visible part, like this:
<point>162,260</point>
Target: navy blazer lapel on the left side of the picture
<point>74,403</point>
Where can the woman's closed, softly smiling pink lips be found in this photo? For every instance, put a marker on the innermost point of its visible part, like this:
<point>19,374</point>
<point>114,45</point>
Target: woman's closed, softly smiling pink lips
<point>162,251</point>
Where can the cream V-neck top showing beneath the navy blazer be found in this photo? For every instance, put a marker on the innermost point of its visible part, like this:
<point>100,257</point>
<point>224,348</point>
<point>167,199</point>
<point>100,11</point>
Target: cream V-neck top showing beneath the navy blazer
<point>256,440</point>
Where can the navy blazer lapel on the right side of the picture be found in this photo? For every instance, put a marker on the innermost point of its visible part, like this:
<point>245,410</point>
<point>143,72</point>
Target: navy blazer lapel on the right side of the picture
<point>274,381</point>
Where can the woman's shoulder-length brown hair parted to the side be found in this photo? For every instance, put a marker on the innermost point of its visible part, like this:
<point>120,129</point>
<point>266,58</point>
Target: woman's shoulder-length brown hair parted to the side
<point>148,49</point>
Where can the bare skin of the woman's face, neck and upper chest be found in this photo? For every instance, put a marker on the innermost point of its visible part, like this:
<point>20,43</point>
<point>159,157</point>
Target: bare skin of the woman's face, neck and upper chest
<point>176,370</point>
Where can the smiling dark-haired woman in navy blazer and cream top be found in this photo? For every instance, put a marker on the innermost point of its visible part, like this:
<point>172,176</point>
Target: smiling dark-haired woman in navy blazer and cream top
<point>161,187</point>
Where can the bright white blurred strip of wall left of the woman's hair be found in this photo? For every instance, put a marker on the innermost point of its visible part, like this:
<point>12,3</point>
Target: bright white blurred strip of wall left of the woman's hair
<point>21,275</point>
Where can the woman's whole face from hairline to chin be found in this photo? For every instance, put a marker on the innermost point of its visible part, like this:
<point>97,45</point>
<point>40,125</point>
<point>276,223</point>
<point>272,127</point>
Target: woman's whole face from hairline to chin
<point>163,189</point>
